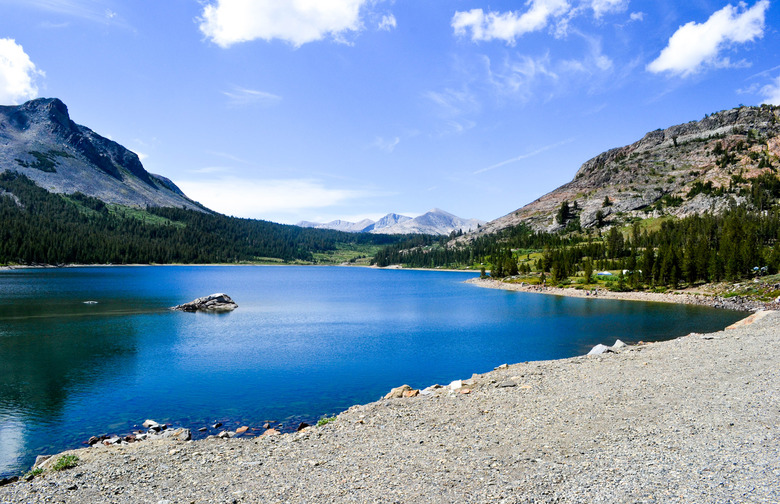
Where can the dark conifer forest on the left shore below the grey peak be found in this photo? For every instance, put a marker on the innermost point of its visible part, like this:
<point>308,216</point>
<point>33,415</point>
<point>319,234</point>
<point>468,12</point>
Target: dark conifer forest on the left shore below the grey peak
<point>39,227</point>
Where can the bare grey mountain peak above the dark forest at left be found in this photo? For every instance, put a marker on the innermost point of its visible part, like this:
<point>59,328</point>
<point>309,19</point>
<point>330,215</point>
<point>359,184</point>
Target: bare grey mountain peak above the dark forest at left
<point>39,140</point>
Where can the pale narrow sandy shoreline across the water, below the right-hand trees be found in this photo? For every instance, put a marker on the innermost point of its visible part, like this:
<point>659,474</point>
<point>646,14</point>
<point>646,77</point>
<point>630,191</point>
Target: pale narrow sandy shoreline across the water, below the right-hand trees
<point>737,303</point>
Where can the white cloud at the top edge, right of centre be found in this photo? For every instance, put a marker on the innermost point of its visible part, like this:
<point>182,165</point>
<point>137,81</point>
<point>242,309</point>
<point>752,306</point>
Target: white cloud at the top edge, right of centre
<point>508,26</point>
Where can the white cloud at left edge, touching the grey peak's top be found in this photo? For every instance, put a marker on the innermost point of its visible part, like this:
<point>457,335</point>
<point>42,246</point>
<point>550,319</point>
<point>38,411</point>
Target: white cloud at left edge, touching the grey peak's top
<point>17,74</point>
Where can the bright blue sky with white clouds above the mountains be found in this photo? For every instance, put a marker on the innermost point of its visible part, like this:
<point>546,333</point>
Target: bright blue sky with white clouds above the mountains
<point>324,109</point>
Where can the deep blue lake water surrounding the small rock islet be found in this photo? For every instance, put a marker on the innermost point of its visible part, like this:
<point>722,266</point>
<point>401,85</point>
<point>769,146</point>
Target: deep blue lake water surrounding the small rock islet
<point>305,342</point>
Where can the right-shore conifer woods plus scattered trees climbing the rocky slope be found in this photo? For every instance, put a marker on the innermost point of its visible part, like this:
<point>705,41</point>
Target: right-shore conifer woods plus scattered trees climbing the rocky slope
<point>741,239</point>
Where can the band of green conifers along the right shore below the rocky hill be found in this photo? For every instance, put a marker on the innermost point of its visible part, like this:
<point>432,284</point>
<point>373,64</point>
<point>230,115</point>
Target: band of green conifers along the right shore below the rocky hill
<point>699,248</point>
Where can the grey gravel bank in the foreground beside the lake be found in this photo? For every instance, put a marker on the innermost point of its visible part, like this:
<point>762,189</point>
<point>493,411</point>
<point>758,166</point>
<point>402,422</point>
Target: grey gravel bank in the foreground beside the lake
<point>696,419</point>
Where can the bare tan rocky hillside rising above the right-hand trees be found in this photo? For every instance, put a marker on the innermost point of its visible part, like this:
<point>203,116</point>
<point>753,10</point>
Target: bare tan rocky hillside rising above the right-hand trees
<point>700,166</point>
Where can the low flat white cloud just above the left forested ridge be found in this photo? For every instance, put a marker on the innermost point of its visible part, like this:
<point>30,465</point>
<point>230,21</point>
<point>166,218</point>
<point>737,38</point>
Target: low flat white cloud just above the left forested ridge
<point>266,199</point>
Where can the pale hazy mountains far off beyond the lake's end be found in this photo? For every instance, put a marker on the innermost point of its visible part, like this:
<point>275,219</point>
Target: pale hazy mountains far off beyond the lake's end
<point>434,222</point>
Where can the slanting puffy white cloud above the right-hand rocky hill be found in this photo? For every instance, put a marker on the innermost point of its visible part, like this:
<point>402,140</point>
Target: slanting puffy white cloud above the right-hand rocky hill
<point>695,46</point>
